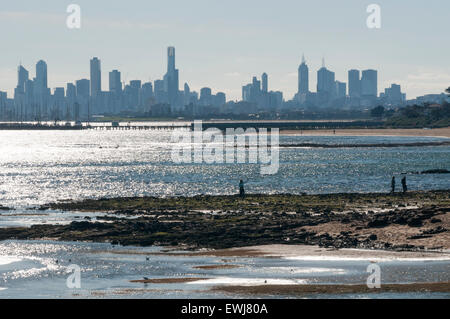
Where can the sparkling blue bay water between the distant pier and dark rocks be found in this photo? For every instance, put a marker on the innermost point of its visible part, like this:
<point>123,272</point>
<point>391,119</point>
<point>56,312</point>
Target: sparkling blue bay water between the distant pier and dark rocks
<point>38,167</point>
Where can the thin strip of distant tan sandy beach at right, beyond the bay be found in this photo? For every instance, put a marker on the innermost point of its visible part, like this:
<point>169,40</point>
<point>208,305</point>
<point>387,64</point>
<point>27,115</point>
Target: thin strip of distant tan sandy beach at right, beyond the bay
<point>435,132</point>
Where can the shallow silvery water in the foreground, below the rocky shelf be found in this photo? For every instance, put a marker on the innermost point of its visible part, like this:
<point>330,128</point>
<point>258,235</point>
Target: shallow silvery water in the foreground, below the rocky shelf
<point>38,269</point>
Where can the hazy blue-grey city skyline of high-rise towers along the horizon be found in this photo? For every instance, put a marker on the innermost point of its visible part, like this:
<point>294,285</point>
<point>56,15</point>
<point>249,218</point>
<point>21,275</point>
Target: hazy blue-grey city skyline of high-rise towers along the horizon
<point>81,98</point>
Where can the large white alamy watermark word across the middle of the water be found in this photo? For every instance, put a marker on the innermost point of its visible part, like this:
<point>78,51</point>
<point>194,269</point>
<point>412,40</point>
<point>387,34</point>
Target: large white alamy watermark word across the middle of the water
<point>212,146</point>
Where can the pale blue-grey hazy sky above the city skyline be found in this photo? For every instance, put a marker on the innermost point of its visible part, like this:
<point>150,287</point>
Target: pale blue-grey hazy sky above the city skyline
<point>223,44</point>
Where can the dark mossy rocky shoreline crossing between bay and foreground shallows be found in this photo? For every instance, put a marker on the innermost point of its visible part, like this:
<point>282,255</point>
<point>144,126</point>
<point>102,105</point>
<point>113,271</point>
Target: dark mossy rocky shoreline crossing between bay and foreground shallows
<point>411,221</point>
